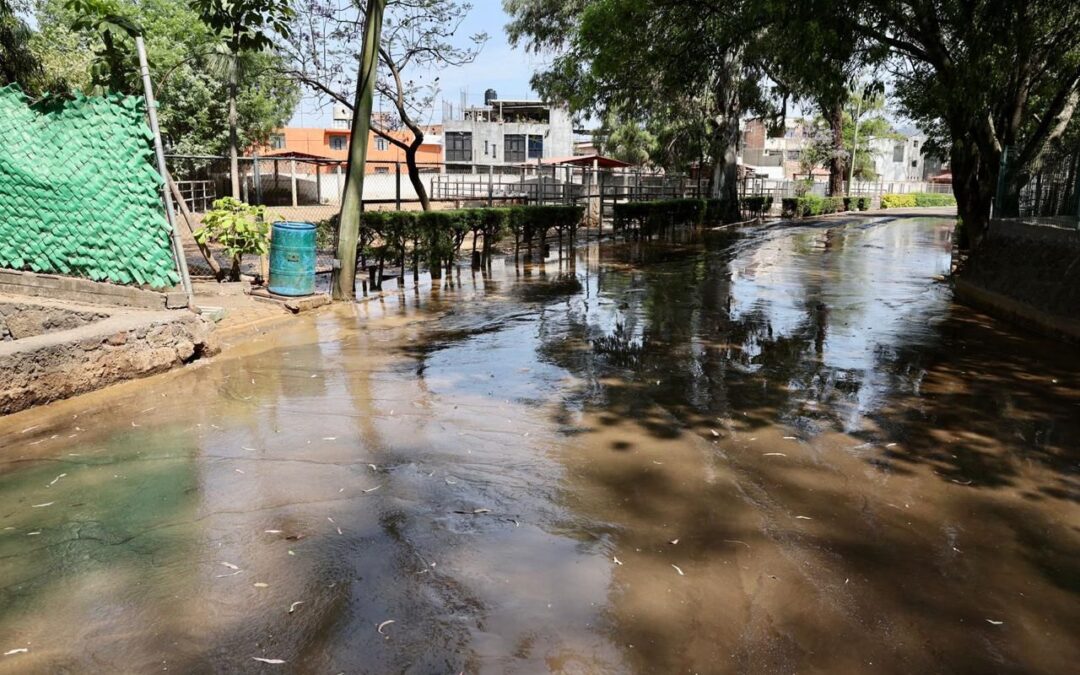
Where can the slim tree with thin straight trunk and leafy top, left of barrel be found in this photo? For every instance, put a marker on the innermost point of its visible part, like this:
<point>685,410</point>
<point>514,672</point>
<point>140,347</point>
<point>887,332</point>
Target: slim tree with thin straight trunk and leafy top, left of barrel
<point>244,26</point>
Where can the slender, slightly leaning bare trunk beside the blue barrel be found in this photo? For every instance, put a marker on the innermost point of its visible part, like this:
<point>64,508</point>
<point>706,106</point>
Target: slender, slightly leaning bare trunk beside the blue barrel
<point>345,275</point>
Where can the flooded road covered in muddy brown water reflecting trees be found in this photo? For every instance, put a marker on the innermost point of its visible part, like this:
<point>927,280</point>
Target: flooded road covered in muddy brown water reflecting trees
<point>788,452</point>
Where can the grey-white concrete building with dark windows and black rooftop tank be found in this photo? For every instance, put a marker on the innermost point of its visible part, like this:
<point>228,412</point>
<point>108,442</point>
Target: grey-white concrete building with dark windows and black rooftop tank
<point>505,134</point>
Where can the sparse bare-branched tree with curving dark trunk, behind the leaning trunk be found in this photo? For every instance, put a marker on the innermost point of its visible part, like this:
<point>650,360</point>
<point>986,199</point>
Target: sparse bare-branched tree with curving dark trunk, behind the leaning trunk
<point>420,38</point>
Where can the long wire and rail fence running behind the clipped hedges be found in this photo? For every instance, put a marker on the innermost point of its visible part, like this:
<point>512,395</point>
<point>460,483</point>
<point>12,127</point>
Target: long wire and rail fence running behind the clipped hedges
<point>305,188</point>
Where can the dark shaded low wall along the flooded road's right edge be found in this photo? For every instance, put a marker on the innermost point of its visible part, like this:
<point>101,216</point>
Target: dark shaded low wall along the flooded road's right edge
<point>1033,271</point>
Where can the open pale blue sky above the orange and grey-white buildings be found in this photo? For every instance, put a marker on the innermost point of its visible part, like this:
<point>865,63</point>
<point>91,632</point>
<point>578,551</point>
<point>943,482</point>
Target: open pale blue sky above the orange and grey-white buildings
<point>499,66</point>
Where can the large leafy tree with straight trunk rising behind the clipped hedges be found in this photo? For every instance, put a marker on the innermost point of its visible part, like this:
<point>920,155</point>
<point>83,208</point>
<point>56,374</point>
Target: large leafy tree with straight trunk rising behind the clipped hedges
<point>627,55</point>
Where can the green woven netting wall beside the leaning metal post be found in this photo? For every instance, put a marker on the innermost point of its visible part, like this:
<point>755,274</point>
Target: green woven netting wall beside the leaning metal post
<point>78,193</point>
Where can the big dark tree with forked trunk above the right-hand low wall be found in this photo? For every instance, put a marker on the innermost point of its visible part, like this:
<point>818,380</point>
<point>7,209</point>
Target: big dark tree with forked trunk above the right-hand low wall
<point>980,78</point>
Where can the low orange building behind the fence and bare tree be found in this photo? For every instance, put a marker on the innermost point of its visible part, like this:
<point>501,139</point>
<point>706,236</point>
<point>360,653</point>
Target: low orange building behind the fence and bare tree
<point>333,144</point>
